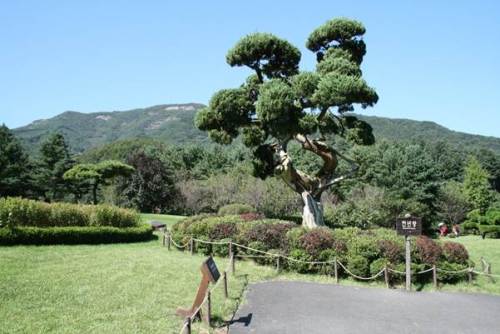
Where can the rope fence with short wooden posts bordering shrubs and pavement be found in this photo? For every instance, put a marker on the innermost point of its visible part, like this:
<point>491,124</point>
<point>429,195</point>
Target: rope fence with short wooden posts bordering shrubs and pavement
<point>167,239</point>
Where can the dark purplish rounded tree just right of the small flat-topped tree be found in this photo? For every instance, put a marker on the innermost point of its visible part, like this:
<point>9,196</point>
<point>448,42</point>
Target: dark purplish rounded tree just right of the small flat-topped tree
<point>151,188</point>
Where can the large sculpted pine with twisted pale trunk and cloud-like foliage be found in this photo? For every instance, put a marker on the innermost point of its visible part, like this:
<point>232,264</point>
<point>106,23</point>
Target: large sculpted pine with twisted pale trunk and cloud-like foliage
<point>279,104</point>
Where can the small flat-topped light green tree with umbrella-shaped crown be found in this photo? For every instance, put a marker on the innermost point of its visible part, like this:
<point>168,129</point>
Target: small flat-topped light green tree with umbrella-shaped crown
<point>96,175</point>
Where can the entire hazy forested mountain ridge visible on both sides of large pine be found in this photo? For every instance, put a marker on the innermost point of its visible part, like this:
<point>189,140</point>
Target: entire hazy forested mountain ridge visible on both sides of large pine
<point>173,123</point>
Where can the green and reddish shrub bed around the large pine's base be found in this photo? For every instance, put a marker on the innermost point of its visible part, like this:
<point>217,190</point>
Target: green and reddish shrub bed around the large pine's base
<point>363,252</point>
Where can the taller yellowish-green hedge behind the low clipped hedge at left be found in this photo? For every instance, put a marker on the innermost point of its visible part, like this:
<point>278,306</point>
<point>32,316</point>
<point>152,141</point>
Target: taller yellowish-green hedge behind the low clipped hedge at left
<point>16,212</point>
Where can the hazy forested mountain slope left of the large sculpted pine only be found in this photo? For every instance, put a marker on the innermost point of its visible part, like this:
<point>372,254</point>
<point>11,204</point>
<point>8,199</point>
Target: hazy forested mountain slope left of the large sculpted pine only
<point>171,123</point>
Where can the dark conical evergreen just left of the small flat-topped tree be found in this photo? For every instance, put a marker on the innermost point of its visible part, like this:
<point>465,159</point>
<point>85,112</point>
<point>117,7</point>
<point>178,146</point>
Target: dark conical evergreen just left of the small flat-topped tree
<point>55,160</point>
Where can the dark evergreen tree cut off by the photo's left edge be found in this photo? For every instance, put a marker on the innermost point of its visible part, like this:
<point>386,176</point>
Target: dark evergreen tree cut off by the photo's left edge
<point>15,167</point>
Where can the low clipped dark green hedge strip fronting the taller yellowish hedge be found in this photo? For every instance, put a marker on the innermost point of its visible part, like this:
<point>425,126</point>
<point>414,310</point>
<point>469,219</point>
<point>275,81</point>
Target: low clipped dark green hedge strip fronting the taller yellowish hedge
<point>74,235</point>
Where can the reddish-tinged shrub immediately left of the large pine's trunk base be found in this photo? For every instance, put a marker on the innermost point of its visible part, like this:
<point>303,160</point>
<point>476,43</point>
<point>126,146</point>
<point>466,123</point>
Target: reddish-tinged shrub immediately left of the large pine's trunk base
<point>271,235</point>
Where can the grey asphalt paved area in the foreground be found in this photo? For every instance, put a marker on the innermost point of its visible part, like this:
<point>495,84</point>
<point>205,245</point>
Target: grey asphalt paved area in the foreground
<point>296,307</point>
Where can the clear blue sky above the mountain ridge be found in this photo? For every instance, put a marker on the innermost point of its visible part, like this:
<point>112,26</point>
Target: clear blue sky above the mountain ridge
<point>428,60</point>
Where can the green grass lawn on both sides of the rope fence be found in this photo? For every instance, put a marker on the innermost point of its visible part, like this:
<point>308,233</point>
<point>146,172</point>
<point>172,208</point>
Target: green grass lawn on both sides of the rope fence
<point>135,288</point>
